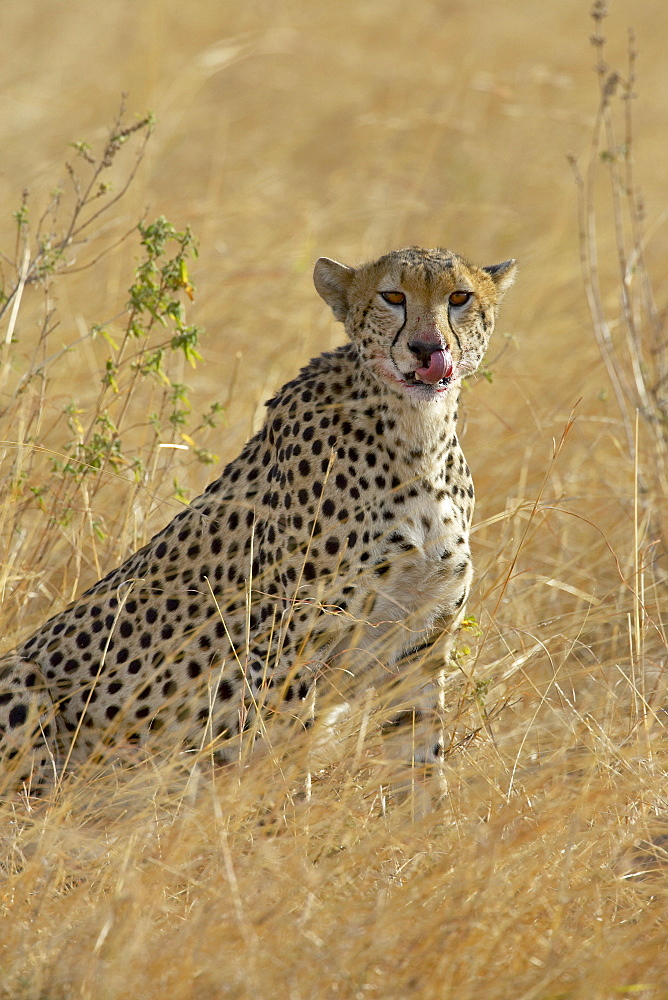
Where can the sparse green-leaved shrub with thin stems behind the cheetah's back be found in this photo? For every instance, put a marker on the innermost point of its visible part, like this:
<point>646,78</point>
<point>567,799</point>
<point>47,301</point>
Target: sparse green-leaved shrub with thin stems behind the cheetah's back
<point>67,440</point>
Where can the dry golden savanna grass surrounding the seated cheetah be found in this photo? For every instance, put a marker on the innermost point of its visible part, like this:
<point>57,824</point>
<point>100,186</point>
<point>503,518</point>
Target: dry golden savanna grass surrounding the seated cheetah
<point>285,131</point>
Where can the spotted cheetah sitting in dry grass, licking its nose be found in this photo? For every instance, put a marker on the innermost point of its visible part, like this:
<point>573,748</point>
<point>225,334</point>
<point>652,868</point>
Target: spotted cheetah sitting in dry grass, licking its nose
<point>337,542</point>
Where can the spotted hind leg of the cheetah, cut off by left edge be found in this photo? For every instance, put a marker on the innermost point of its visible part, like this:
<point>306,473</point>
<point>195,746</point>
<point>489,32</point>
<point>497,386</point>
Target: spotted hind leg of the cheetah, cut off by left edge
<point>27,725</point>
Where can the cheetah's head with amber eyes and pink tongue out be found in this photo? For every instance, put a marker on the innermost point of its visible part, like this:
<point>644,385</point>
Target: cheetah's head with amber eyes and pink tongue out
<point>421,319</point>
